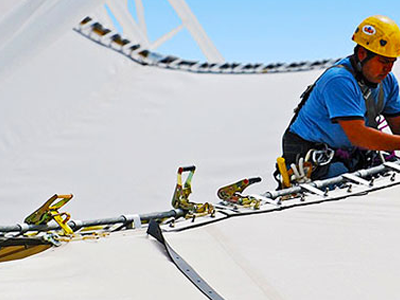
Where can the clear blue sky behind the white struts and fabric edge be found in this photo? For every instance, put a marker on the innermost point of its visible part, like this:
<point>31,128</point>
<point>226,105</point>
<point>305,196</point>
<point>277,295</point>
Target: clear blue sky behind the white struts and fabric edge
<point>267,31</point>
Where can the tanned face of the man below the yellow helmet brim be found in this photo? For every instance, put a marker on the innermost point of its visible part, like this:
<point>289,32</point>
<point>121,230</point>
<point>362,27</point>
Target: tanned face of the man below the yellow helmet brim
<point>377,68</point>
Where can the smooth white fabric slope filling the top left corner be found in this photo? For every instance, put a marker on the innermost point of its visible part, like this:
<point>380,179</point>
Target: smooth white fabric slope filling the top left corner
<point>32,26</point>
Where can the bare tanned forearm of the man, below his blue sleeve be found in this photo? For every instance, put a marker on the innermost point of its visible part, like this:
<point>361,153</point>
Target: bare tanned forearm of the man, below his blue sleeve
<point>370,138</point>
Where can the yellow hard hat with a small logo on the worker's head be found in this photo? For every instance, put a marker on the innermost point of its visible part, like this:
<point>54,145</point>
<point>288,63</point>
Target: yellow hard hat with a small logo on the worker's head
<point>380,35</point>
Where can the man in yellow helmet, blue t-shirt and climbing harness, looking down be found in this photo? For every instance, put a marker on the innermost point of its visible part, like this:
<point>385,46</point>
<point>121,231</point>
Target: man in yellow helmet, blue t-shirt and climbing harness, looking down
<point>335,126</point>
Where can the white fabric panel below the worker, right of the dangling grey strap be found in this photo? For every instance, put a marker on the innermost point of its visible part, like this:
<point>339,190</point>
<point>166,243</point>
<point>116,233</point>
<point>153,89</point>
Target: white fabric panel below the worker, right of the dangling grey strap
<point>340,250</point>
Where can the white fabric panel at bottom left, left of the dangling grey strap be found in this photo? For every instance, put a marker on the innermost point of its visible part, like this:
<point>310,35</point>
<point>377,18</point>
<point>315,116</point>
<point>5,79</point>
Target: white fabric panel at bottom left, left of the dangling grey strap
<point>108,268</point>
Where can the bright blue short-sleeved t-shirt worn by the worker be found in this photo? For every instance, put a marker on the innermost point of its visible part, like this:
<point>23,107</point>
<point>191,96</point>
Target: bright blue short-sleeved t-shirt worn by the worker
<point>337,96</point>
